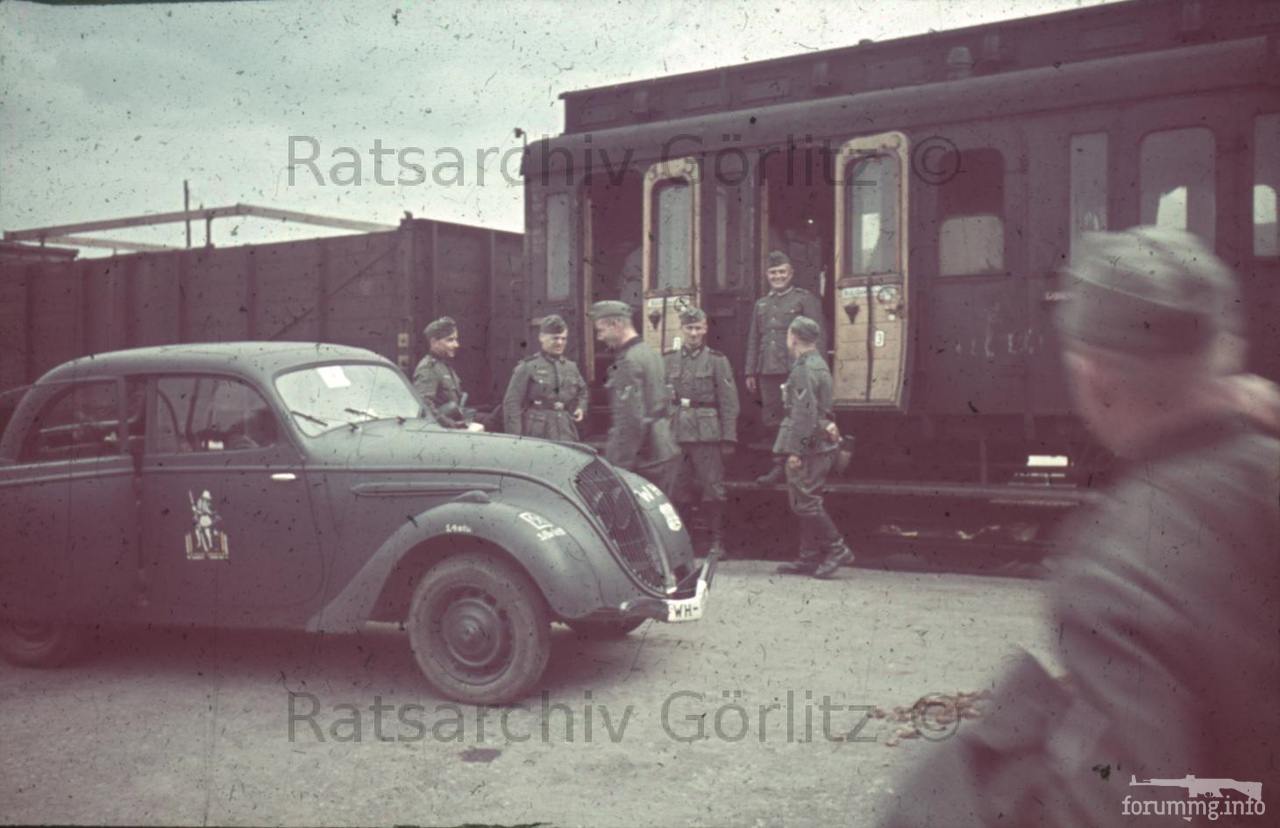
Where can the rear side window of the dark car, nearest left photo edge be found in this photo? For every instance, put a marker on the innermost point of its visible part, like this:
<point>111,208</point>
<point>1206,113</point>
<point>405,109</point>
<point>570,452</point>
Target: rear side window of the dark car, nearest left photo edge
<point>77,423</point>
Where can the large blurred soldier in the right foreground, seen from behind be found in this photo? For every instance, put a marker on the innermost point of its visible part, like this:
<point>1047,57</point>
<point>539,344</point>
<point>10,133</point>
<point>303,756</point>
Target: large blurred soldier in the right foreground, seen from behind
<point>1165,611</point>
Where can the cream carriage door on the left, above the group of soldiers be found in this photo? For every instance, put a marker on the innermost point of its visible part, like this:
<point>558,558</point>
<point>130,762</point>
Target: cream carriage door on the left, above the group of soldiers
<point>671,282</point>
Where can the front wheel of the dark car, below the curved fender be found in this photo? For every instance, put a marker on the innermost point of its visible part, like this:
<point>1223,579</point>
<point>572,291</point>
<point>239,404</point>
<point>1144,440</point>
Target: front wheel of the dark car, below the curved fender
<point>479,630</point>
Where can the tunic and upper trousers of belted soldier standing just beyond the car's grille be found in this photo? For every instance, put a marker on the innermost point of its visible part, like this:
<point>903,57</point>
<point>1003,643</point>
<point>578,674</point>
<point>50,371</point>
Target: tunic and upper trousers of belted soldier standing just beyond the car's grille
<point>706,417</point>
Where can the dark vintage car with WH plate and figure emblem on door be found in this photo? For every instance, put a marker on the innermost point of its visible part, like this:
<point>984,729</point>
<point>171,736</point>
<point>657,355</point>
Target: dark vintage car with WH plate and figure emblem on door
<point>299,486</point>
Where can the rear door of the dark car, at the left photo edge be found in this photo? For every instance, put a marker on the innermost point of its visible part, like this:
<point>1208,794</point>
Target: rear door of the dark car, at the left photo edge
<point>68,541</point>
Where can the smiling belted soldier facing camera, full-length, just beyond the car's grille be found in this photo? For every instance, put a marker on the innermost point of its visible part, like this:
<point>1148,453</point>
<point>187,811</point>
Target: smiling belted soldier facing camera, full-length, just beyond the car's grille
<point>705,422</point>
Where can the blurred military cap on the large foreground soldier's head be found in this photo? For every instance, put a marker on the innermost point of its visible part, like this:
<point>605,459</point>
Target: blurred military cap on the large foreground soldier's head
<point>1149,292</point>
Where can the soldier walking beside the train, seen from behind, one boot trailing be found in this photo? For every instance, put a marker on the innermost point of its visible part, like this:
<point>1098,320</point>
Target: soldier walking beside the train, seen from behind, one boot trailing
<point>810,446</point>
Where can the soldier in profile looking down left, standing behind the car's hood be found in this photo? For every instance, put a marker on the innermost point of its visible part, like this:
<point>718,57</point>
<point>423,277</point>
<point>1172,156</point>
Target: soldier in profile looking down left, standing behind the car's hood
<point>639,401</point>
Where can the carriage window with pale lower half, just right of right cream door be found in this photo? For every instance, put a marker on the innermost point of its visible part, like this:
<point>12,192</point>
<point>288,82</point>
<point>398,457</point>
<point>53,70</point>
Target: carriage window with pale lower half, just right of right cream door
<point>971,214</point>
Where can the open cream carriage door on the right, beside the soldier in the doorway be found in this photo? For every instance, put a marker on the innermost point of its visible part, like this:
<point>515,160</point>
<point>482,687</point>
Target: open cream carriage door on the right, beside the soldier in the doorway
<point>871,296</point>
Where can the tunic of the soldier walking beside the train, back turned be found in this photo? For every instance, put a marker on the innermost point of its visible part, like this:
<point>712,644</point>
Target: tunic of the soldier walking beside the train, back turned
<point>804,433</point>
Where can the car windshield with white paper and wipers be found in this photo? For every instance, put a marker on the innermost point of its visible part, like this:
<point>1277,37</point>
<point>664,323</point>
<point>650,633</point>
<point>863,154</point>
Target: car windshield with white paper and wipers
<point>324,397</point>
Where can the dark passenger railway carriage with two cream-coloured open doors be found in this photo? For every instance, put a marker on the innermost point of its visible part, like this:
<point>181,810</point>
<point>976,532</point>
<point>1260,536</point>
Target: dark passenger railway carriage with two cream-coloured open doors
<point>929,190</point>
